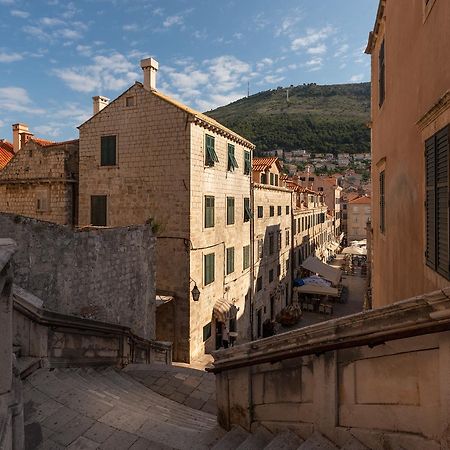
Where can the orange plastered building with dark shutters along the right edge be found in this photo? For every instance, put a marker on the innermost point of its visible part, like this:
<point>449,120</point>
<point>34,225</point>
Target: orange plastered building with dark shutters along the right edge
<point>410,120</point>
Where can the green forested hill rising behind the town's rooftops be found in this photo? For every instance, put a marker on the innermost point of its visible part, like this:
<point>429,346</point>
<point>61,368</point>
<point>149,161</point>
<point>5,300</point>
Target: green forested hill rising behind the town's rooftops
<point>329,118</point>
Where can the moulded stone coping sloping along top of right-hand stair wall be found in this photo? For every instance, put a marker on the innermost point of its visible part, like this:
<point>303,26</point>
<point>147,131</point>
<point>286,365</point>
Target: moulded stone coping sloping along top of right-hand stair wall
<point>429,313</point>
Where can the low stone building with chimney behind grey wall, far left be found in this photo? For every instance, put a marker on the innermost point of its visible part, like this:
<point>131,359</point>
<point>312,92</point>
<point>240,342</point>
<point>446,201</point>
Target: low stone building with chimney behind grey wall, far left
<point>41,178</point>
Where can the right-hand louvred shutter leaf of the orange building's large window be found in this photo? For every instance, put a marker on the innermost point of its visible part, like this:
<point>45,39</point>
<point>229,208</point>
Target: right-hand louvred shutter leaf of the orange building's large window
<point>442,229</point>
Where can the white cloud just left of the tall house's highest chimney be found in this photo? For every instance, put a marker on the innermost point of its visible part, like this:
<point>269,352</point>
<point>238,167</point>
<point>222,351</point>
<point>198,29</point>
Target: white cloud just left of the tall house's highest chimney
<point>114,72</point>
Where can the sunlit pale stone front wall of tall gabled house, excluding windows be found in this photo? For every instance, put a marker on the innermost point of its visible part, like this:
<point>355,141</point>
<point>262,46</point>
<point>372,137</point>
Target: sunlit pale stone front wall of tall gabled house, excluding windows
<point>234,287</point>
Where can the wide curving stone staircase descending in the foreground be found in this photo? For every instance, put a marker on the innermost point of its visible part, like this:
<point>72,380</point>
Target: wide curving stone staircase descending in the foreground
<point>86,408</point>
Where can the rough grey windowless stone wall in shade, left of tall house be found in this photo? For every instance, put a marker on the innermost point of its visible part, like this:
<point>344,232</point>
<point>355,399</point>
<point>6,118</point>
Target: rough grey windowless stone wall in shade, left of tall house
<point>104,274</point>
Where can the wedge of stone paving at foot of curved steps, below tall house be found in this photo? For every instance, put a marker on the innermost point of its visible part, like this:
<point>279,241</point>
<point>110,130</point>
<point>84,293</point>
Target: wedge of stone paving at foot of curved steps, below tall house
<point>182,383</point>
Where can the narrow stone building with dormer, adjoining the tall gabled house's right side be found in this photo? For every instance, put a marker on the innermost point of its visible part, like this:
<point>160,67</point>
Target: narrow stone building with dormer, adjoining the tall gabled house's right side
<point>272,209</point>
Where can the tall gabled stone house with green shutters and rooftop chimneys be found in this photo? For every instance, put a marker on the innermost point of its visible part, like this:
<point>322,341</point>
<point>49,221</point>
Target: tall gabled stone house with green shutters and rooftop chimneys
<point>146,157</point>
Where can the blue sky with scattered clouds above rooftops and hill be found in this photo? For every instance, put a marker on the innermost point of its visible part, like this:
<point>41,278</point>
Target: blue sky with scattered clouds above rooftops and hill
<point>56,54</point>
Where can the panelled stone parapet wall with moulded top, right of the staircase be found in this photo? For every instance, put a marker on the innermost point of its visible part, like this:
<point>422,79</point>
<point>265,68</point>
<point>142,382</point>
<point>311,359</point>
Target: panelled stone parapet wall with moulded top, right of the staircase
<point>380,377</point>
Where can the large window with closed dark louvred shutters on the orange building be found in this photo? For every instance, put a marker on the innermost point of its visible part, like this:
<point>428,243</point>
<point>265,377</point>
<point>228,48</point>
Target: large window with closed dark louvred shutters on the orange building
<point>437,200</point>
